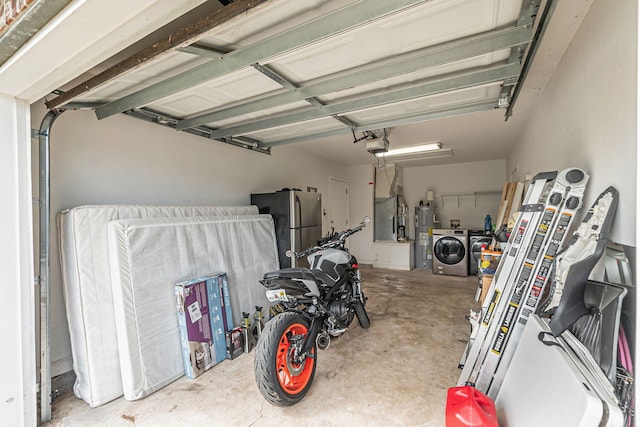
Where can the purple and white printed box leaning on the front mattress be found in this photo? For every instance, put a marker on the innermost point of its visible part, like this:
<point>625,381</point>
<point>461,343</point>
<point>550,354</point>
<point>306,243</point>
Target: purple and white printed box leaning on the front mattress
<point>198,353</point>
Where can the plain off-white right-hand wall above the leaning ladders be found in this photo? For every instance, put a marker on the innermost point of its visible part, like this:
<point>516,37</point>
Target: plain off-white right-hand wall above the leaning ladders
<point>586,116</point>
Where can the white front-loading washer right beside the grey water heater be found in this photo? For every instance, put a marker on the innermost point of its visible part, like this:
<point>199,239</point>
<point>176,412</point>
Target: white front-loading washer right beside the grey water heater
<point>451,252</point>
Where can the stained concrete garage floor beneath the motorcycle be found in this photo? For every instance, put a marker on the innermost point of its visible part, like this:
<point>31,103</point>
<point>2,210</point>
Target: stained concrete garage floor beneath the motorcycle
<point>394,374</point>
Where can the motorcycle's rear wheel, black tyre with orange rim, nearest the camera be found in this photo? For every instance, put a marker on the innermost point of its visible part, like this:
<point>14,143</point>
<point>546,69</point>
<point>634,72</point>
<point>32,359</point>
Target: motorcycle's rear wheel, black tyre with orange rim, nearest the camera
<point>281,379</point>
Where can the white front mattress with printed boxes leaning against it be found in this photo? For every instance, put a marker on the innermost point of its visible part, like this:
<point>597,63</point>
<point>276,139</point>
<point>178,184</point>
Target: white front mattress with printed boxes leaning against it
<point>148,257</point>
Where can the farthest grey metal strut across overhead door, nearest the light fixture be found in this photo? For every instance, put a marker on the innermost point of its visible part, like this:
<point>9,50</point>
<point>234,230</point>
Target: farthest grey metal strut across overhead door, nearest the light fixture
<point>391,122</point>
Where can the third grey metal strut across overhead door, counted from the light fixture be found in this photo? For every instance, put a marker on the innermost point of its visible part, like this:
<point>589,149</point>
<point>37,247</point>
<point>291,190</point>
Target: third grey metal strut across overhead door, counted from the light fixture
<point>425,58</point>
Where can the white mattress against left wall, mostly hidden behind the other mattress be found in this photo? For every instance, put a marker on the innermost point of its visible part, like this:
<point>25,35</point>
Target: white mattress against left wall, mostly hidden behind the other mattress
<point>86,282</point>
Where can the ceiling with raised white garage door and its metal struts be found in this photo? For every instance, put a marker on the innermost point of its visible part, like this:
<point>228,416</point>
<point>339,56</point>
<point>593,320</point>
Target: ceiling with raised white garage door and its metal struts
<point>317,74</point>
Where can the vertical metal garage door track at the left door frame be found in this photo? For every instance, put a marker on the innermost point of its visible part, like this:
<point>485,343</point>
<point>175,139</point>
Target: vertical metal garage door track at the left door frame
<point>45,248</point>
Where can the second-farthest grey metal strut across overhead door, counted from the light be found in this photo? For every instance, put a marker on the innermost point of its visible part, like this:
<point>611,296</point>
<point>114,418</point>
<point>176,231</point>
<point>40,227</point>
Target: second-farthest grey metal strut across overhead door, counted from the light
<point>478,78</point>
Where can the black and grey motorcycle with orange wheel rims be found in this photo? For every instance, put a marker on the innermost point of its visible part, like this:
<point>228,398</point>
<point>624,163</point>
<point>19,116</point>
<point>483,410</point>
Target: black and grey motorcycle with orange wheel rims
<point>312,305</point>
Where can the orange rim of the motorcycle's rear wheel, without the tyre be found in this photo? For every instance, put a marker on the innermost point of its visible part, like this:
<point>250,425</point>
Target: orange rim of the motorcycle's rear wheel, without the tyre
<point>293,377</point>
